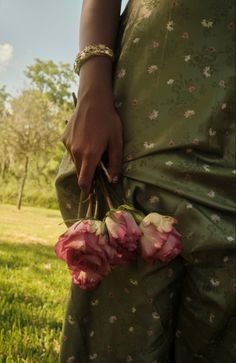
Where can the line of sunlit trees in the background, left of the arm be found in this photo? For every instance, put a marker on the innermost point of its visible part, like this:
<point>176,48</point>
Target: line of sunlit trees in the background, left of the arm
<point>30,128</point>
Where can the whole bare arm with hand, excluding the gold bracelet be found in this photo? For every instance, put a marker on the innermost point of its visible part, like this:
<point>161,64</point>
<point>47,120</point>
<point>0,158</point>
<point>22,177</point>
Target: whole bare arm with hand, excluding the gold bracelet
<point>95,125</point>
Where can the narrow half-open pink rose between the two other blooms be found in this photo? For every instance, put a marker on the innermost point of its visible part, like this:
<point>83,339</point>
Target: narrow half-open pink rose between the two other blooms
<point>123,233</point>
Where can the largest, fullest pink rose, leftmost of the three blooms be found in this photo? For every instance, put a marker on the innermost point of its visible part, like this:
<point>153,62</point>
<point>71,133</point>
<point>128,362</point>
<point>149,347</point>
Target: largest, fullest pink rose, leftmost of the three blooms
<point>84,247</point>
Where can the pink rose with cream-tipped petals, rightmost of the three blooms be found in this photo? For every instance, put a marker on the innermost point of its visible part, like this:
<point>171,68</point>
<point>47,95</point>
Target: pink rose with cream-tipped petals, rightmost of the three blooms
<point>160,240</point>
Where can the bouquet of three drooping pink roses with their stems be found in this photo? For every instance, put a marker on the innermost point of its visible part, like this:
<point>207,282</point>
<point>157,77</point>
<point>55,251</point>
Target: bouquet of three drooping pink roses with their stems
<point>91,247</point>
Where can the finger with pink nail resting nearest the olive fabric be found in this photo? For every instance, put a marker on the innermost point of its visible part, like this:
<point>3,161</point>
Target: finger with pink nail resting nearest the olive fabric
<point>115,158</point>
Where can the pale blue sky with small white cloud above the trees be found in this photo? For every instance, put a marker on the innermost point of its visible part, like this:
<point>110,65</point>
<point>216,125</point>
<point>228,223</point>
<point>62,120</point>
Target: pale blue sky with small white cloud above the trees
<point>29,29</point>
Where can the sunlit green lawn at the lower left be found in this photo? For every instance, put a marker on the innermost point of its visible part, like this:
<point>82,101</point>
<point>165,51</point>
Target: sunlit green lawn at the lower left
<point>33,285</point>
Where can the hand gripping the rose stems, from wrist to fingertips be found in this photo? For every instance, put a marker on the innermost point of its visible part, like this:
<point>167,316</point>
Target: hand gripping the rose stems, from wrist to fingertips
<point>94,127</point>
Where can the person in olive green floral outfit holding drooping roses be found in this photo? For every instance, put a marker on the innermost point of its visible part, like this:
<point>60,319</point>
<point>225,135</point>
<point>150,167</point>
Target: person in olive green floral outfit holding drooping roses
<point>163,112</point>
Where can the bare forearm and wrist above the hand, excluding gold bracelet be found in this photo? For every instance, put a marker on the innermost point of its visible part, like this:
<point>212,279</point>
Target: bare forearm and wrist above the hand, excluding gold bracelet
<point>99,23</point>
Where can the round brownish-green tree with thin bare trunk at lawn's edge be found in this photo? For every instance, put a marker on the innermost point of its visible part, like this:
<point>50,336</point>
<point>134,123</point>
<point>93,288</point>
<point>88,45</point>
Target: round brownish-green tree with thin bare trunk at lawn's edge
<point>32,132</point>
